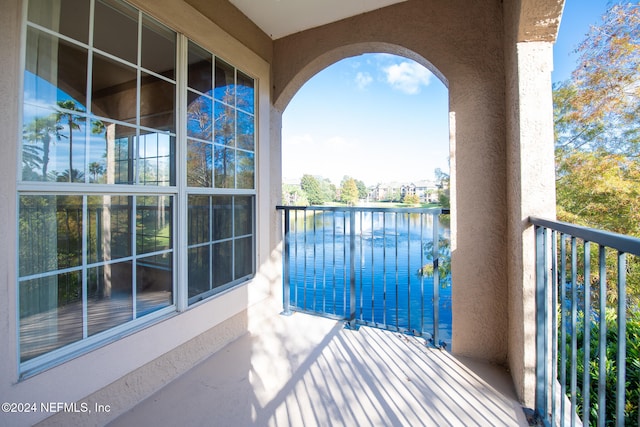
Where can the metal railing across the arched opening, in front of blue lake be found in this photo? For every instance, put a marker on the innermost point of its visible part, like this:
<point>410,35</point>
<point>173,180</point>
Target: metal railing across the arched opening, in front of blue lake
<point>379,267</point>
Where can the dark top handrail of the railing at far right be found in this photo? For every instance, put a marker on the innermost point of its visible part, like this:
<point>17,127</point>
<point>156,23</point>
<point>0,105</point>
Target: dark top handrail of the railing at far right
<point>620,242</point>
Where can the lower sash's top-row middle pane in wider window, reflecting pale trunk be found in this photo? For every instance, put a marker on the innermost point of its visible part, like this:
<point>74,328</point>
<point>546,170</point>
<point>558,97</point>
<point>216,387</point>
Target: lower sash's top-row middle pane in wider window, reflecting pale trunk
<point>109,231</point>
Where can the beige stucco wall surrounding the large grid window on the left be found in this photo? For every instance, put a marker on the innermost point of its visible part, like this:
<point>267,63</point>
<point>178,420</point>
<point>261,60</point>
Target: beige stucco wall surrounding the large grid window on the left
<point>131,368</point>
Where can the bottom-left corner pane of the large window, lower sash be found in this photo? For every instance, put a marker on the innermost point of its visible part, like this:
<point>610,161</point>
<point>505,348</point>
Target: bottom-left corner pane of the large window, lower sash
<point>50,313</point>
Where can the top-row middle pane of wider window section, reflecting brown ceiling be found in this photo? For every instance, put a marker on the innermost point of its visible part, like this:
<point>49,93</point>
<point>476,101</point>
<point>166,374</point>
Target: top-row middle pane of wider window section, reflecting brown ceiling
<point>116,29</point>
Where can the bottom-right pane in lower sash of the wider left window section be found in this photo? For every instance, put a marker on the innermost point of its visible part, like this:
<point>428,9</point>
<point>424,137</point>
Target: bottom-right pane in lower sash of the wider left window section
<point>154,283</point>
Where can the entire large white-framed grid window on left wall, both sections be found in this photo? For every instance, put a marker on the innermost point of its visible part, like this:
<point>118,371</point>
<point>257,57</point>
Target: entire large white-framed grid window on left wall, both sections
<point>100,186</point>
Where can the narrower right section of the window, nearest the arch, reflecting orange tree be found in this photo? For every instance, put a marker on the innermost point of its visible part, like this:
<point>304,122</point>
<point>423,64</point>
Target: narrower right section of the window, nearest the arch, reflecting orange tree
<point>220,174</point>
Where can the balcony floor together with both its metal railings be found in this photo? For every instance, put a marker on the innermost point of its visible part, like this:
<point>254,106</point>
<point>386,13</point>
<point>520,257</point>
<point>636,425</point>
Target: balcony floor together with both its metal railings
<point>327,360</point>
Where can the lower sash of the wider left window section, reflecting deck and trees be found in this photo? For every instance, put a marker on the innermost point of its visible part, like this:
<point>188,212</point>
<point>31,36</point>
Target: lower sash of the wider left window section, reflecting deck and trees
<point>55,232</point>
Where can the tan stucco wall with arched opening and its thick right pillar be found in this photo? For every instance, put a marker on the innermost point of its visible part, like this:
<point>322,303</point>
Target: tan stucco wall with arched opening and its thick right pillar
<point>462,42</point>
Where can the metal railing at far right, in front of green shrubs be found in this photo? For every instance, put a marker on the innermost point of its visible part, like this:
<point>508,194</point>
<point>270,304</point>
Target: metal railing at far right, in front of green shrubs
<point>582,371</point>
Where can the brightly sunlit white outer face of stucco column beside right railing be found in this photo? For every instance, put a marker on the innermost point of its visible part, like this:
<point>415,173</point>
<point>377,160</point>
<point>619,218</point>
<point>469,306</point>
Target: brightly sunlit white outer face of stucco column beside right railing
<point>530,192</point>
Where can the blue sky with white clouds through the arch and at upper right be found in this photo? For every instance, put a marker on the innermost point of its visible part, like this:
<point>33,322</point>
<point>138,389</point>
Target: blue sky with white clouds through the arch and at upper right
<point>381,118</point>
